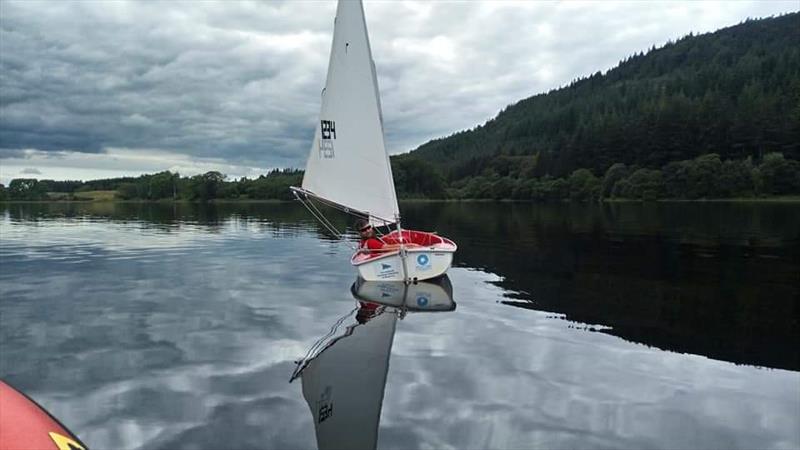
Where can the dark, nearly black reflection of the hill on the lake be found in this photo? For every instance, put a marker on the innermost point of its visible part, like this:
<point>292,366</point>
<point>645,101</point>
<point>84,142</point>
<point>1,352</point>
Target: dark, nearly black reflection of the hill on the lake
<point>715,279</point>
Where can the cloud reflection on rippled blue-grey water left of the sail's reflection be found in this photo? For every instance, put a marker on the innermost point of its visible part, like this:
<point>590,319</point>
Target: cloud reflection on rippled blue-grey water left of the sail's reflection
<point>214,339</point>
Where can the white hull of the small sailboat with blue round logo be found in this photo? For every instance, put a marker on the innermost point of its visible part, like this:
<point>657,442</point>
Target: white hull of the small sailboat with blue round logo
<point>420,264</point>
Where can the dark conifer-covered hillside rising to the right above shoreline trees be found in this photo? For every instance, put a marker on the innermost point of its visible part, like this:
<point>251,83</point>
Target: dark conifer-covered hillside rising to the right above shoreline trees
<point>734,92</point>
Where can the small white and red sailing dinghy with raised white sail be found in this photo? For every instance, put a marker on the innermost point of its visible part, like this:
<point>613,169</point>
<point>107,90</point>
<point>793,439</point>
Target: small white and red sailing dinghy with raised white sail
<point>348,167</point>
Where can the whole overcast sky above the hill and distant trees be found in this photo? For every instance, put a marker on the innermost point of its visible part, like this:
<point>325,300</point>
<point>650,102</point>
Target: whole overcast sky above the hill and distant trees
<point>106,88</point>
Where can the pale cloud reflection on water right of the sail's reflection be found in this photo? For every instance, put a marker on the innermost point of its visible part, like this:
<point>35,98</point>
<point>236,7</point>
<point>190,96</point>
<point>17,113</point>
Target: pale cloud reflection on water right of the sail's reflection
<point>507,385</point>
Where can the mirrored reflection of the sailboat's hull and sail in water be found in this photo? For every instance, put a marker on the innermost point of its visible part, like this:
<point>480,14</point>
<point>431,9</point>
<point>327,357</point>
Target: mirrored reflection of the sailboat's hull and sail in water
<point>344,373</point>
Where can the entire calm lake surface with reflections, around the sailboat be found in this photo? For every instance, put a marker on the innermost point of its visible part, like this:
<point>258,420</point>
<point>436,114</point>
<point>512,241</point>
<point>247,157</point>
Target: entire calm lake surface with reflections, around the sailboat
<point>561,326</point>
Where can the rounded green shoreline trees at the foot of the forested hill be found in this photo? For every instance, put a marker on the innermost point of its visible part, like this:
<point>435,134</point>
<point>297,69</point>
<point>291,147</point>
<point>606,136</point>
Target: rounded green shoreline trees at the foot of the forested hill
<point>705,177</point>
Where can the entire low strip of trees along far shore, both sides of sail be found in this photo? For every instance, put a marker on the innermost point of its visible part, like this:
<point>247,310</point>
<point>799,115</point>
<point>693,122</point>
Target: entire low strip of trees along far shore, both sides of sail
<point>504,177</point>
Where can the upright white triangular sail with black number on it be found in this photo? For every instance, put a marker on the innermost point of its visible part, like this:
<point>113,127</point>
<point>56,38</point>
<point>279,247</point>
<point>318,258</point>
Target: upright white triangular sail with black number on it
<point>348,163</point>
